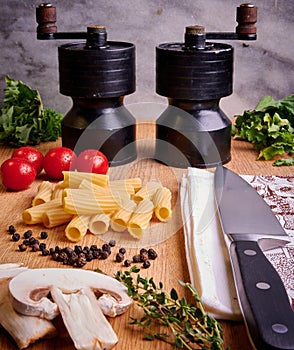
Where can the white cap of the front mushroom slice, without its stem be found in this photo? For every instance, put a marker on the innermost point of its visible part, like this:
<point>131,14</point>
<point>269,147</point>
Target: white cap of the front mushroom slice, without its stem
<point>30,290</point>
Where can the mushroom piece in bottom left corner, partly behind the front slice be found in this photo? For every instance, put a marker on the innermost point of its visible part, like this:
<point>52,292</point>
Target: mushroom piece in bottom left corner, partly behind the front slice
<point>23,329</point>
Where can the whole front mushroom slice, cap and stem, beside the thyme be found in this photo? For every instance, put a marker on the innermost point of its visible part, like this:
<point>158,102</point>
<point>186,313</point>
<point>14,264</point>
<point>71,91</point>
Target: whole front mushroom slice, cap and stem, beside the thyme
<point>74,294</point>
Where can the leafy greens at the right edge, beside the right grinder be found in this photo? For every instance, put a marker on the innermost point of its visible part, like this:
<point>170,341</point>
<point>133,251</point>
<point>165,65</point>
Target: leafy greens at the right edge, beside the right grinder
<point>269,127</point>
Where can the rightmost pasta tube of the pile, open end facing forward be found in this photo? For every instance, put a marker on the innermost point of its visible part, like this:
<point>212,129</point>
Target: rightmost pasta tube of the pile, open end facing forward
<point>162,204</point>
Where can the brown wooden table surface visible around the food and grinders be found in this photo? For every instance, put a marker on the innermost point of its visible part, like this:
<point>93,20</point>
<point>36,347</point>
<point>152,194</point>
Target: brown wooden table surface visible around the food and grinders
<point>169,267</point>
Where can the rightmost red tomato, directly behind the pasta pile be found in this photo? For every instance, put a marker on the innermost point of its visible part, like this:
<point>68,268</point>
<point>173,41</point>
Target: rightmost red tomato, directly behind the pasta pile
<point>92,161</point>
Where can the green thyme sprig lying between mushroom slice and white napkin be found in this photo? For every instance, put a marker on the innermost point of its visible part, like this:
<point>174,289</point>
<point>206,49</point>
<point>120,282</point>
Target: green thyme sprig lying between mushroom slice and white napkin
<point>188,325</point>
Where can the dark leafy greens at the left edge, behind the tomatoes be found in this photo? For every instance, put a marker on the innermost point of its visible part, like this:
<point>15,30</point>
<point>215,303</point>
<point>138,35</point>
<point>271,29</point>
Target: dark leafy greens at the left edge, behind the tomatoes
<point>23,120</point>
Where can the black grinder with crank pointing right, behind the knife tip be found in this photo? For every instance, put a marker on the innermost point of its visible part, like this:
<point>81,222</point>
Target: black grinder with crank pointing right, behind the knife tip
<point>194,76</point>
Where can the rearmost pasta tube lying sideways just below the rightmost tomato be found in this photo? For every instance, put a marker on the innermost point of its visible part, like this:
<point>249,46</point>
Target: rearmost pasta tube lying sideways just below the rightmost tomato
<point>73,179</point>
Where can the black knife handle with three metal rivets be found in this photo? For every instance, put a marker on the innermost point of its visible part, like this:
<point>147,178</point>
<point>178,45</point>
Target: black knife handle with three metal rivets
<point>263,298</point>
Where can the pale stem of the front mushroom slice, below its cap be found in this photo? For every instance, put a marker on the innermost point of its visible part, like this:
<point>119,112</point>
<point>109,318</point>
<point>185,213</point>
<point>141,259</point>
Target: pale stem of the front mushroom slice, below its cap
<point>84,320</point>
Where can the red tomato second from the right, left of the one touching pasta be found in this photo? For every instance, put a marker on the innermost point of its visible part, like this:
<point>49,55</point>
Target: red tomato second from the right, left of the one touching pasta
<point>57,160</point>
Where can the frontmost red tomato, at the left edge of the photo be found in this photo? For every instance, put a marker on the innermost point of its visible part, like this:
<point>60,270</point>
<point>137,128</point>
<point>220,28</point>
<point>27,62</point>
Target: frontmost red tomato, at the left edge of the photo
<point>17,174</point>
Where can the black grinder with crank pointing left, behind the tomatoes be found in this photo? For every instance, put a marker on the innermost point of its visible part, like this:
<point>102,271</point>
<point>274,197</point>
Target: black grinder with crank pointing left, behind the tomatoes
<point>96,74</point>
